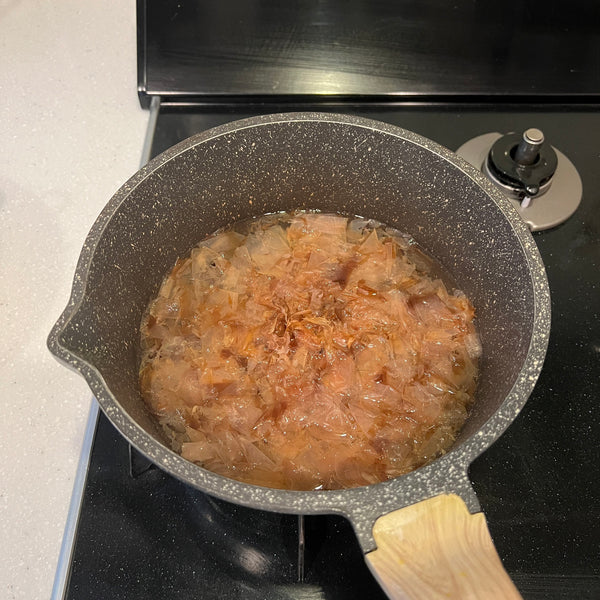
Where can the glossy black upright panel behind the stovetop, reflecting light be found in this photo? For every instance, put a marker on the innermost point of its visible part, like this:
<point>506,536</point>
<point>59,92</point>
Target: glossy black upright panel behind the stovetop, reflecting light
<point>397,49</point>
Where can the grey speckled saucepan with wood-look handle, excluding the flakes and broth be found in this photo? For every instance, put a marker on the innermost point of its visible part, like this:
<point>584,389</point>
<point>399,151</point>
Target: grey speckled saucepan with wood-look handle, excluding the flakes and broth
<point>422,533</point>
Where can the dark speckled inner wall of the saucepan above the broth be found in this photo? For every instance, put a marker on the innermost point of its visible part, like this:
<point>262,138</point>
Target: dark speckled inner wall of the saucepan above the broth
<point>209,182</point>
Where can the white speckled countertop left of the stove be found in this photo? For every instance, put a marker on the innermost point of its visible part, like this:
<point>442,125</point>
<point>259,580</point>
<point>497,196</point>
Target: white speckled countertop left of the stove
<point>72,132</point>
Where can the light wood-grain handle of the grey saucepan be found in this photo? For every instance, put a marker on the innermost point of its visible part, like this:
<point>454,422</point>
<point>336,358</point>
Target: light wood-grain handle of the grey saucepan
<point>438,549</point>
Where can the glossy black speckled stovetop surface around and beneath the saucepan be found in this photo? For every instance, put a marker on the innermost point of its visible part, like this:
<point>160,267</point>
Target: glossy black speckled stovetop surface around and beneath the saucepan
<point>152,536</point>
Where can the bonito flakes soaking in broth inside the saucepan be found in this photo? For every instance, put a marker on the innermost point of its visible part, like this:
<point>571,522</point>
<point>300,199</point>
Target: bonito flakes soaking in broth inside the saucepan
<point>309,351</point>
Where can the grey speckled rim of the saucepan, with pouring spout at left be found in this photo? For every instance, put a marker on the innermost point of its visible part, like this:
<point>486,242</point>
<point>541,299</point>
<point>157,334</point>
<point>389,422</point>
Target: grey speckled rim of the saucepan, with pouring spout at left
<point>447,473</point>
